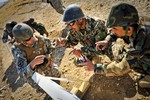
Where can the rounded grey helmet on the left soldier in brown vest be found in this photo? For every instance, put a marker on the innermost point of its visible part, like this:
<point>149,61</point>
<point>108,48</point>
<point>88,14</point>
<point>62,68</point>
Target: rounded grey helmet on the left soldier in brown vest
<point>22,32</point>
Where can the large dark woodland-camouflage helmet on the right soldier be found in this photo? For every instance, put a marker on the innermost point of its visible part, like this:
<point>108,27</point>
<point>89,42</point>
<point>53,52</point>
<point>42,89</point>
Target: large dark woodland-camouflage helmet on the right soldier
<point>122,15</point>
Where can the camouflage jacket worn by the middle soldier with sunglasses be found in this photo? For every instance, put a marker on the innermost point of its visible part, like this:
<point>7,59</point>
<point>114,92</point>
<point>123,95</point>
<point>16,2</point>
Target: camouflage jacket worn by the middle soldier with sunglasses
<point>94,32</point>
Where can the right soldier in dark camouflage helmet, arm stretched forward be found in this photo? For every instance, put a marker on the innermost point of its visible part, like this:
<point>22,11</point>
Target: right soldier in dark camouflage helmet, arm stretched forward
<point>123,21</point>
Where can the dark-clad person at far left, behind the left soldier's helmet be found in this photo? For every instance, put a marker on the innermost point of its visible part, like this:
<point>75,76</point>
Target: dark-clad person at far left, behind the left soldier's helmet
<point>8,32</point>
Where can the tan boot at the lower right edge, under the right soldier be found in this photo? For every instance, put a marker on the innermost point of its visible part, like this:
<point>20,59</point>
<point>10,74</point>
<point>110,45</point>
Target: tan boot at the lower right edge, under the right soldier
<point>145,82</point>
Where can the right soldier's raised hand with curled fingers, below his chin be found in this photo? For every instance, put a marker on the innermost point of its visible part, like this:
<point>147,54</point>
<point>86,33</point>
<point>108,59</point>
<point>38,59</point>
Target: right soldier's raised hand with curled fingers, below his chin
<point>101,45</point>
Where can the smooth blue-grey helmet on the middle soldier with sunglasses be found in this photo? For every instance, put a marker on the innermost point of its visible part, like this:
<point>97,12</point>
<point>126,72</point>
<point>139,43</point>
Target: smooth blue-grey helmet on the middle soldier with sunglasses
<point>72,12</point>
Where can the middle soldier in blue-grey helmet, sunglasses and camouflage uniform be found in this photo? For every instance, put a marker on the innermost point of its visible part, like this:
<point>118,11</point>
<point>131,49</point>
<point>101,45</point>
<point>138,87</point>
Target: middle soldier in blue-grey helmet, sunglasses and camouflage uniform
<point>81,29</point>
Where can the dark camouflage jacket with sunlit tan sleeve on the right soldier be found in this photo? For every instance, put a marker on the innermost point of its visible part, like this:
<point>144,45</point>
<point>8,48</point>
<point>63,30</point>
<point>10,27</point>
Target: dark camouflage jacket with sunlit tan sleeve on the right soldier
<point>137,57</point>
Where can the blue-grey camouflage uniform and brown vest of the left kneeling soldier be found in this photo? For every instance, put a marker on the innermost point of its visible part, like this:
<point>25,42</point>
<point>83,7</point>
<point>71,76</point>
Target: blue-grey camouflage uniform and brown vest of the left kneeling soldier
<point>24,55</point>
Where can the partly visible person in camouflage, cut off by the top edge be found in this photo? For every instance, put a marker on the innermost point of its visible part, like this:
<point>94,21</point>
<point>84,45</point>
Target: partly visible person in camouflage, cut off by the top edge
<point>57,5</point>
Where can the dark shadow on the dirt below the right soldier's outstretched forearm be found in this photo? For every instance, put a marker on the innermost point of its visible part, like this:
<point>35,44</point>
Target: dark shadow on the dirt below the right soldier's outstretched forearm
<point>110,88</point>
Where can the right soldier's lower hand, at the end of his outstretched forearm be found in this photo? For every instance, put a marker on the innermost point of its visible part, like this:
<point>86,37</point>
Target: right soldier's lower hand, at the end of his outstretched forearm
<point>88,65</point>
